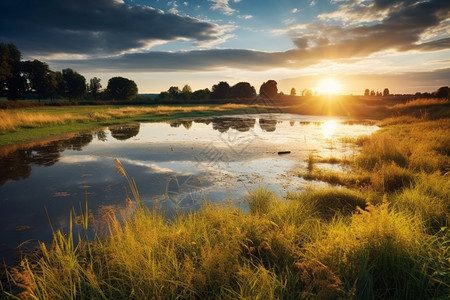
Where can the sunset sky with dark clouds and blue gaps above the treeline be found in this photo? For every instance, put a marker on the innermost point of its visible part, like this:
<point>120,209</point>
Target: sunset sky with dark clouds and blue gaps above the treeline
<point>403,45</point>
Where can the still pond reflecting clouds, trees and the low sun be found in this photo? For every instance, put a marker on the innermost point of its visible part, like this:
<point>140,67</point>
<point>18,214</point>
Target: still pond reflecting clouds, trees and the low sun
<point>176,165</point>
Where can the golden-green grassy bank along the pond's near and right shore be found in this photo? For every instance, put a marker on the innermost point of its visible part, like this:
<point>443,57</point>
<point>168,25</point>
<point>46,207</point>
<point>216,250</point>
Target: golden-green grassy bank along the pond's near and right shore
<point>384,236</point>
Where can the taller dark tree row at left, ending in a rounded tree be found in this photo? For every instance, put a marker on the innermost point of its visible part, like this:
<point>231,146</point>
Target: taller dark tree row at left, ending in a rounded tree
<point>18,78</point>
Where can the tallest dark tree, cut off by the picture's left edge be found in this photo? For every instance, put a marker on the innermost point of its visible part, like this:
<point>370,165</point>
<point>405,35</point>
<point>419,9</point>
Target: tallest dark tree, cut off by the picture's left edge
<point>11,78</point>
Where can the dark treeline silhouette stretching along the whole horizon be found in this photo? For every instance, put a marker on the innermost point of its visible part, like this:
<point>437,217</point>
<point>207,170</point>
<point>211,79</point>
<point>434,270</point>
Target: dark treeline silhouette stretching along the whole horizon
<point>34,79</point>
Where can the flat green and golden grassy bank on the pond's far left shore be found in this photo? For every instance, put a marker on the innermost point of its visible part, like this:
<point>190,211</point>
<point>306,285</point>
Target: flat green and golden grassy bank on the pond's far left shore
<point>25,124</point>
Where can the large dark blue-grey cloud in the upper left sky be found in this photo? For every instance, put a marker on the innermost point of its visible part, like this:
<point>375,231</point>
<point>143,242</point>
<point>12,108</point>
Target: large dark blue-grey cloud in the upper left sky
<point>93,27</point>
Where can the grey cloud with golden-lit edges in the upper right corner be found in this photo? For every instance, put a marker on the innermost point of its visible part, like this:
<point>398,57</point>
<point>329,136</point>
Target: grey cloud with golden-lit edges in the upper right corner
<point>402,26</point>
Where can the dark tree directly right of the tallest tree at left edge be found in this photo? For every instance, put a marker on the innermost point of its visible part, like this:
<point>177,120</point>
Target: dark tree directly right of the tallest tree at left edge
<point>40,78</point>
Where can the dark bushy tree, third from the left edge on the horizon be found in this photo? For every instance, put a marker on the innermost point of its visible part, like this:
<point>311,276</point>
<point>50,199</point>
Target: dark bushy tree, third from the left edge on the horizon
<point>71,84</point>
